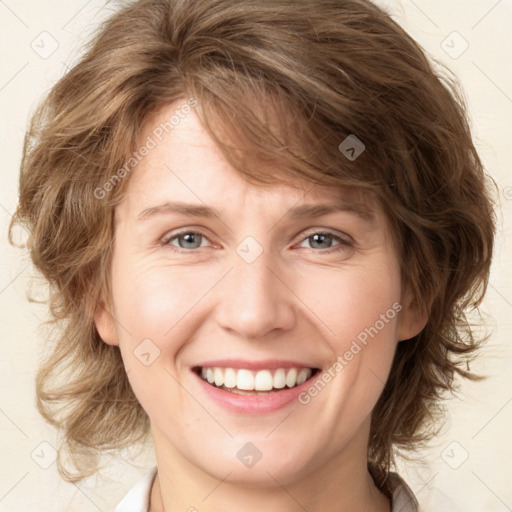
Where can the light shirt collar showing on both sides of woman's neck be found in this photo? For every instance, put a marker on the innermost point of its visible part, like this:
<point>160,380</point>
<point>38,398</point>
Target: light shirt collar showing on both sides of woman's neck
<point>137,499</point>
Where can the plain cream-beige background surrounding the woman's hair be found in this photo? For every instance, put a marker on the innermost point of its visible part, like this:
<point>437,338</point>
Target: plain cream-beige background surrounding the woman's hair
<point>471,461</point>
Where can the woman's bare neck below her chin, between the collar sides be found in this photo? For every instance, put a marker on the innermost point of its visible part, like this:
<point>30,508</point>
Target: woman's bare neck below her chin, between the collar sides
<point>339,484</point>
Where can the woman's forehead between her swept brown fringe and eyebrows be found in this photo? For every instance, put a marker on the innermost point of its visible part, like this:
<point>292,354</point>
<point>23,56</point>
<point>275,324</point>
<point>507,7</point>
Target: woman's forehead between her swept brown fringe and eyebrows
<point>185,165</point>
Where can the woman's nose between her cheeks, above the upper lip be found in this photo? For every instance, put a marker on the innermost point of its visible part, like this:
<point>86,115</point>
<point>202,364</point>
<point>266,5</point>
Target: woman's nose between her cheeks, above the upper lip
<point>255,299</point>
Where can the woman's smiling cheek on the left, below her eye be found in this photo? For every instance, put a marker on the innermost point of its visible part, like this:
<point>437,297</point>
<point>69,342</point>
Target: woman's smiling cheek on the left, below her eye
<point>154,307</point>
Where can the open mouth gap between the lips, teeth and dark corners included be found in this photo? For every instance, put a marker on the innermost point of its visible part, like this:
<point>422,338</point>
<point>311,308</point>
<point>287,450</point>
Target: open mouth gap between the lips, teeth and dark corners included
<point>250,382</point>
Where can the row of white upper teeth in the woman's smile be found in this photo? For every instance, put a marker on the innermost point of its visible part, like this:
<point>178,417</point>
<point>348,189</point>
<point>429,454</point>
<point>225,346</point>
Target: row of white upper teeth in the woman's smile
<point>262,380</point>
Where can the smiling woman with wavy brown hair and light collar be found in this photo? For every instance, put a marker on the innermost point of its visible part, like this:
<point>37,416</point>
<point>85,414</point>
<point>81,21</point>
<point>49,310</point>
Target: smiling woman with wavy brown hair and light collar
<point>263,223</point>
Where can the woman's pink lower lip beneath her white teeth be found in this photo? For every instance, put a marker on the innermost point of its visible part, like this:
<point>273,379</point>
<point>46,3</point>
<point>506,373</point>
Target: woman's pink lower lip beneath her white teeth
<point>254,404</point>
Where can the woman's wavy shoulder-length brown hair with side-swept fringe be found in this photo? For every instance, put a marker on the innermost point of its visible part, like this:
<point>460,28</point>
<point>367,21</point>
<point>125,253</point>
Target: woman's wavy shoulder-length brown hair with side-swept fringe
<point>328,69</point>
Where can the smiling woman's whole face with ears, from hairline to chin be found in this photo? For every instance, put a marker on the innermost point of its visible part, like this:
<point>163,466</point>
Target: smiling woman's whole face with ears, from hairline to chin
<point>209,272</point>
